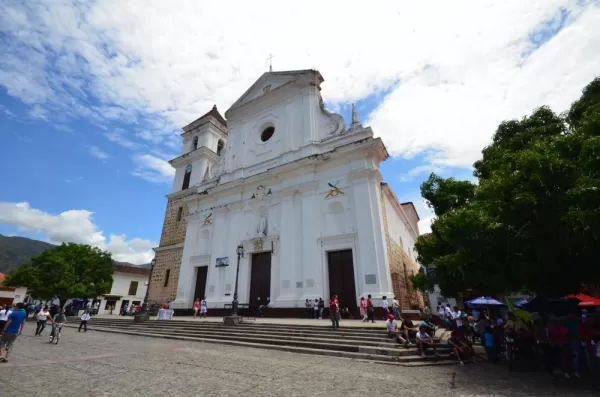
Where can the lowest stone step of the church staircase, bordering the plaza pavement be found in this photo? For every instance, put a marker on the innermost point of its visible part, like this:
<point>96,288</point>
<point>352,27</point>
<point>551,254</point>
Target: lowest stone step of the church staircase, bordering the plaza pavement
<point>403,361</point>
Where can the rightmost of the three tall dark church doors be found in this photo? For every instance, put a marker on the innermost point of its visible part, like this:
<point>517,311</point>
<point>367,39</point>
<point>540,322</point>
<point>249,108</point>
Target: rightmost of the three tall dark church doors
<point>341,279</point>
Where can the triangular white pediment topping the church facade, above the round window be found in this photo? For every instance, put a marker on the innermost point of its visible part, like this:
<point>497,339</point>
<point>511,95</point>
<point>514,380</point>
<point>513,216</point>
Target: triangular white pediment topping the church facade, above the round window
<point>270,82</point>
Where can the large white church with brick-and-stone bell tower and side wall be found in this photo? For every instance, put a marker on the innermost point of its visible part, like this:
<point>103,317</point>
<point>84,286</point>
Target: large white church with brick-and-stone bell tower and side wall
<point>301,193</point>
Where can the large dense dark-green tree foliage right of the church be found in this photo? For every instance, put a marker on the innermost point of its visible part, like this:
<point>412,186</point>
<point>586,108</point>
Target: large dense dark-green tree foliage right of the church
<point>532,220</point>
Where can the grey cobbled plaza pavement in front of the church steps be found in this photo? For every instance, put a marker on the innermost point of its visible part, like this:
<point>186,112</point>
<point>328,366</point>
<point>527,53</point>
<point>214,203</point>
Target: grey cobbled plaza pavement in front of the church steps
<point>97,364</point>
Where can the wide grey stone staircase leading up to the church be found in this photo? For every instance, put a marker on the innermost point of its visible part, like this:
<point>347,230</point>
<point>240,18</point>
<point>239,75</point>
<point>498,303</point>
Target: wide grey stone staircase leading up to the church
<point>348,342</point>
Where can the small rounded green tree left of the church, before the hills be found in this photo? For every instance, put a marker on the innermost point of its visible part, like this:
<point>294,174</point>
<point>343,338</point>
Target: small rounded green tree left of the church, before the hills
<point>67,271</point>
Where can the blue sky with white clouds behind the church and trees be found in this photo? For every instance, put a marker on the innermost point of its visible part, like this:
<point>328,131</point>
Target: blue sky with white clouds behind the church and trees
<point>93,95</point>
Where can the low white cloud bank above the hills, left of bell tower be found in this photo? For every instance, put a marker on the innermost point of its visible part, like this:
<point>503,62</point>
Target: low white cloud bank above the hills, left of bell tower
<point>75,226</point>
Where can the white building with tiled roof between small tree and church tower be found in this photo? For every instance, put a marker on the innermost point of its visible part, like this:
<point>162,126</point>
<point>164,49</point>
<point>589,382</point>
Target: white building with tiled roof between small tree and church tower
<point>129,286</point>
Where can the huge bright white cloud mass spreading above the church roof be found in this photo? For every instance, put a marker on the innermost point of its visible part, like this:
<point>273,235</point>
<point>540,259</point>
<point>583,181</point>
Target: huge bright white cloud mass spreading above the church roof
<point>453,74</point>
